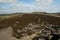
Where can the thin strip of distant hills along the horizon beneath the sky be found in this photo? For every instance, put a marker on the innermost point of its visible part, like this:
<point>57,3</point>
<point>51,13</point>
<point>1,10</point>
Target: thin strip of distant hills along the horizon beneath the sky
<point>31,13</point>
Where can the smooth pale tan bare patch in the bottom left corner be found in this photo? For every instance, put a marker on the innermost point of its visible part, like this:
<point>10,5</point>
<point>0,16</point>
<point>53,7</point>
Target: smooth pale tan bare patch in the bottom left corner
<point>5,34</point>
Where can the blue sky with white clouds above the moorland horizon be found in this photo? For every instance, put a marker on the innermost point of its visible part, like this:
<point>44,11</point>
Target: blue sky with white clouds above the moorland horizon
<point>13,6</point>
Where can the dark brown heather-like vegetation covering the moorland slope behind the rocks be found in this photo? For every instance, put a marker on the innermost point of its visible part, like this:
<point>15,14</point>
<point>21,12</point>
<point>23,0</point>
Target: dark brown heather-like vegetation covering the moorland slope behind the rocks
<point>20,22</point>
